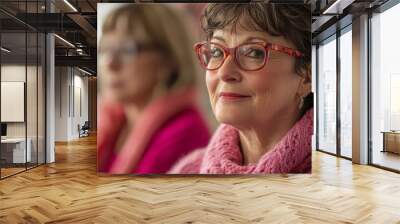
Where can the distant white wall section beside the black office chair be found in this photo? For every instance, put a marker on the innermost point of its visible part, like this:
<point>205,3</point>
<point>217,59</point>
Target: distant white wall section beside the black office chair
<point>70,81</point>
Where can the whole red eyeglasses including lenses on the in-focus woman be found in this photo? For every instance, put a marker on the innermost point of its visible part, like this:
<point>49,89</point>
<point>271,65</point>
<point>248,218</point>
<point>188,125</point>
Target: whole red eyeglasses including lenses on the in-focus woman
<point>248,56</point>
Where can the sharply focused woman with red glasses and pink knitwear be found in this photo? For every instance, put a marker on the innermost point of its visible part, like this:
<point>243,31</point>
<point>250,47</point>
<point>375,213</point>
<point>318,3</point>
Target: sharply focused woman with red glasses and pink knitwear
<point>257,61</point>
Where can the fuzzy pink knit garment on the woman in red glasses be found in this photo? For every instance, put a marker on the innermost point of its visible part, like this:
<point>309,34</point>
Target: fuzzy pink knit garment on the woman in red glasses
<point>223,155</point>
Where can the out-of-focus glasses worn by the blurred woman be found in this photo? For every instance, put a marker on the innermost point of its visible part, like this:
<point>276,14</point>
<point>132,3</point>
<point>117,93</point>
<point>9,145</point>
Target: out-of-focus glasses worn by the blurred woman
<point>125,52</point>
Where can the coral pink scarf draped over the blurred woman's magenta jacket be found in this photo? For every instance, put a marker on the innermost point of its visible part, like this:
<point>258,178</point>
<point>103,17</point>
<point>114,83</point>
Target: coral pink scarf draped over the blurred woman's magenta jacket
<point>154,115</point>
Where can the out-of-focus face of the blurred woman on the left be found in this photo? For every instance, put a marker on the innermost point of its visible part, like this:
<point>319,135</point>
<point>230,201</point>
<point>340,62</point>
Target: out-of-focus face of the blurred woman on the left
<point>129,76</point>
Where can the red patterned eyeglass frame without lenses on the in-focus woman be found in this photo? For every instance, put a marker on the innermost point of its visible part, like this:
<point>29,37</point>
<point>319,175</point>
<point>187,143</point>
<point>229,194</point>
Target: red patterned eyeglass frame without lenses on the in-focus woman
<point>233,51</point>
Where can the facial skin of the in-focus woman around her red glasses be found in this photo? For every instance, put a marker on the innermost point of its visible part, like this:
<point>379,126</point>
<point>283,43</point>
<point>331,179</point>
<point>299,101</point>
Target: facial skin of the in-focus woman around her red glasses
<point>250,98</point>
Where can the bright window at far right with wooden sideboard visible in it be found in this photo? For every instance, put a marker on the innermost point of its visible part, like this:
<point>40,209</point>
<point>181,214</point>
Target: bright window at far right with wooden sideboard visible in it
<point>385,89</point>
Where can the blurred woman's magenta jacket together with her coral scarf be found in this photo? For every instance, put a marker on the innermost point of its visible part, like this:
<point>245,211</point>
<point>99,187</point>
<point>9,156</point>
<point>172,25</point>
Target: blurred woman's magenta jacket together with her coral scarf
<point>169,128</point>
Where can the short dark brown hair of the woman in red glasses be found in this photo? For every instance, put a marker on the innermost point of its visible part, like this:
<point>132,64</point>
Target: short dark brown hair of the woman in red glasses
<point>292,21</point>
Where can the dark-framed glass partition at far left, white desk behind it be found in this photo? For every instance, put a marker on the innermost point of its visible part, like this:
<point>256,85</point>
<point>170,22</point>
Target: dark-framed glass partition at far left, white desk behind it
<point>22,102</point>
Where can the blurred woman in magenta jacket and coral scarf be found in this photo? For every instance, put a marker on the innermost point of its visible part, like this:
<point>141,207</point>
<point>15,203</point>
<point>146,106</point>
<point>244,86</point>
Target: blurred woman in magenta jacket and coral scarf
<point>148,118</point>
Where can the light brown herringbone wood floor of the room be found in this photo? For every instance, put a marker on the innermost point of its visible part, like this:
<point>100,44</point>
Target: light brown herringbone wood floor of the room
<point>70,191</point>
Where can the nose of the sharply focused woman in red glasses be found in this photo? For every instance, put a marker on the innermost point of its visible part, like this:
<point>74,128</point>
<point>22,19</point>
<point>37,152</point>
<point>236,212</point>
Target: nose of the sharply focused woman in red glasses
<point>229,71</point>
